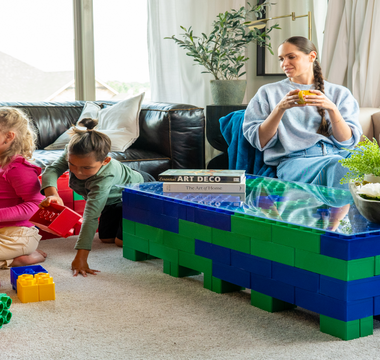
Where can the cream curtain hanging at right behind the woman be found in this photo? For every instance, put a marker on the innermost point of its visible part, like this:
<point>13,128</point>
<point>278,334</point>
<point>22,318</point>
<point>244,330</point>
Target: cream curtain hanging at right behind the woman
<point>351,48</point>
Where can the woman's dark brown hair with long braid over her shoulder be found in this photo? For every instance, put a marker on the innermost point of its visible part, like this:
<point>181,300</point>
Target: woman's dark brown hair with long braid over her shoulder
<point>306,46</point>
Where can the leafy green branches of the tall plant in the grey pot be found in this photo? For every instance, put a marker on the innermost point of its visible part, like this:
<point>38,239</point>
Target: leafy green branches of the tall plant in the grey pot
<point>222,52</point>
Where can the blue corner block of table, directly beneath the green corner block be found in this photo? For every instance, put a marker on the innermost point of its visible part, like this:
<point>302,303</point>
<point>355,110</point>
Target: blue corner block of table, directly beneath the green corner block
<point>350,290</point>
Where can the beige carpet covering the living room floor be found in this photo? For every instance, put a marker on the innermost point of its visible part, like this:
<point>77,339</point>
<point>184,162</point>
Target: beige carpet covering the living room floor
<point>132,310</point>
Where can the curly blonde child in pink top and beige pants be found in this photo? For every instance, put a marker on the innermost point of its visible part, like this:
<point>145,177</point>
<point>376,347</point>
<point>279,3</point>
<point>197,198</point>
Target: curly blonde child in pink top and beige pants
<point>19,191</point>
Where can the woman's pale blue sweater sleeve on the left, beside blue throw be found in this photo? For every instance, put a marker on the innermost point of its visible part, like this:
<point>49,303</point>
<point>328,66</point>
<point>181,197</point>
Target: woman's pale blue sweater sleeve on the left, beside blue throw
<point>257,111</point>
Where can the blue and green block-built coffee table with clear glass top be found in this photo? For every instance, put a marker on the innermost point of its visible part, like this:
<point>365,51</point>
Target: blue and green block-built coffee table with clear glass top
<point>292,244</point>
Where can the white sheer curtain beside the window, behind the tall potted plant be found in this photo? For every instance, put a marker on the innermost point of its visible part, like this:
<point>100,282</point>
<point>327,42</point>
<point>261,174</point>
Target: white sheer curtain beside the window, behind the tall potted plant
<point>173,76</point>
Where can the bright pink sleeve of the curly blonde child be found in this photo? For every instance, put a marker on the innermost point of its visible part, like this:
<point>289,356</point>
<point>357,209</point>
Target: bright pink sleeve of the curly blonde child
<point>24,180</point>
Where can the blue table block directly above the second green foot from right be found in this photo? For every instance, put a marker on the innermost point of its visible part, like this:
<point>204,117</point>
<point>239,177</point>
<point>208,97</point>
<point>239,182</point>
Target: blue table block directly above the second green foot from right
<point>273,288</point>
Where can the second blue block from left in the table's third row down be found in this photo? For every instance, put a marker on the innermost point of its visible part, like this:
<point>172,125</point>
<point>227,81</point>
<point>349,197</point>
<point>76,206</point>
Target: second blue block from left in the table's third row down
<point>251,263</point>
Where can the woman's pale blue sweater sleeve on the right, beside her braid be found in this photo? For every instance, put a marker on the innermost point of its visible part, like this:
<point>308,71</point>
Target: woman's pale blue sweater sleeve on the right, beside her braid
<point>349,109</point>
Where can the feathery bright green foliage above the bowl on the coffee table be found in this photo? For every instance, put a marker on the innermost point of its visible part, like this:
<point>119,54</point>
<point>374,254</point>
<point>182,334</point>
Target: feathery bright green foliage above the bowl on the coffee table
<point>364,159</point>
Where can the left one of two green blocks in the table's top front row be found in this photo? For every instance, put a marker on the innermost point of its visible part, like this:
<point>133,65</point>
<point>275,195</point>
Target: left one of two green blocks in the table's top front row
<point>256,228</point>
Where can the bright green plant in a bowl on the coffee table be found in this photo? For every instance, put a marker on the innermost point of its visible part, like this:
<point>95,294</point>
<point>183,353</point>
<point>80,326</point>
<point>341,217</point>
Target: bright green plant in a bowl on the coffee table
<point>364,178</point>
